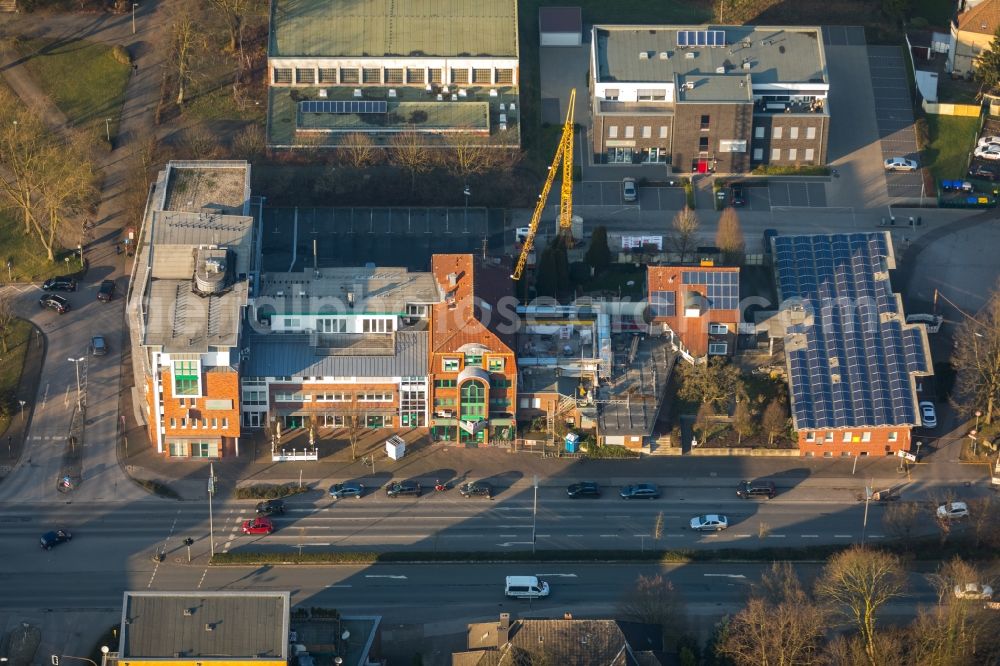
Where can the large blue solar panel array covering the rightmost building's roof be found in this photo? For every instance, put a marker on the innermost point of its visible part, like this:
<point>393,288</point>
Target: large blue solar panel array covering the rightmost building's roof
<point>854,368</point>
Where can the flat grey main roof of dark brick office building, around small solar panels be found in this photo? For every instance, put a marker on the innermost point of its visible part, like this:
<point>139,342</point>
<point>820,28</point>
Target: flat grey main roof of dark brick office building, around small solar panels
<point>775,54</point>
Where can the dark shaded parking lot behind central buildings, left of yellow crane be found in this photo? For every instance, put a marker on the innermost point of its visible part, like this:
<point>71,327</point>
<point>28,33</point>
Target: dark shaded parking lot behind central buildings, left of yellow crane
<point>385,236</point>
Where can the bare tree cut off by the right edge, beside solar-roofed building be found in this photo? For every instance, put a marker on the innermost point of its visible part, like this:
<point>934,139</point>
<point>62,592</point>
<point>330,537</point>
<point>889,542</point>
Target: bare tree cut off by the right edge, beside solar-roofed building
<point>977,360</point>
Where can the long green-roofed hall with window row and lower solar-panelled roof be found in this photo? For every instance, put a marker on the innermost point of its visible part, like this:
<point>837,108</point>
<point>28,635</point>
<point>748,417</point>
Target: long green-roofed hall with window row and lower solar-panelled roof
<point>438,68</point>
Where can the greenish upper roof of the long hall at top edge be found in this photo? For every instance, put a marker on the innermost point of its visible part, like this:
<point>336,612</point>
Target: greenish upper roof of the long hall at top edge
<point>375,28</point>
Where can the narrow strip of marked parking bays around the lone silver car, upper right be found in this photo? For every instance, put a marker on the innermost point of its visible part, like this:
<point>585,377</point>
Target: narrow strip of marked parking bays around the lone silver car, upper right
<point>894,116</point>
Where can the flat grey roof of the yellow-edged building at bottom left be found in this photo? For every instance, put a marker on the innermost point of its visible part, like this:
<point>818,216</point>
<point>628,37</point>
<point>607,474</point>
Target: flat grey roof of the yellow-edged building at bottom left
<point>208,626</point>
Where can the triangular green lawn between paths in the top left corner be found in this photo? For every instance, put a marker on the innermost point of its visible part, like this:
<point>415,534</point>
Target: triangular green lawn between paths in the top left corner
<point>83,80</point>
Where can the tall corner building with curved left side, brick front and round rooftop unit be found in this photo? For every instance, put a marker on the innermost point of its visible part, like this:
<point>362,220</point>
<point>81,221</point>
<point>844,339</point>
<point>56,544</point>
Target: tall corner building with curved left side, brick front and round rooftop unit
<point>186,299</point>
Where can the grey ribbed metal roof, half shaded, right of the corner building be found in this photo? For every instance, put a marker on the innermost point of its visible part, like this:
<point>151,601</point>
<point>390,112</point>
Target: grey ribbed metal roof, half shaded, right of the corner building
<point>283,355</point>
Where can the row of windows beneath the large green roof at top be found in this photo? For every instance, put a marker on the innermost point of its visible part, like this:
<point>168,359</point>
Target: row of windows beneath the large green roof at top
<point>390,75</point>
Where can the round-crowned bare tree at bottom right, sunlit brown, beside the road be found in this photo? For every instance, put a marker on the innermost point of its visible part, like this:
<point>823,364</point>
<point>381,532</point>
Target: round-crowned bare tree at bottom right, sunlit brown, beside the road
<point>857,582</point>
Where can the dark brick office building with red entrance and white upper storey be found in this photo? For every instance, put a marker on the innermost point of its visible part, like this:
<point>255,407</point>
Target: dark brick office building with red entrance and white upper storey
<point>709,99</point>
